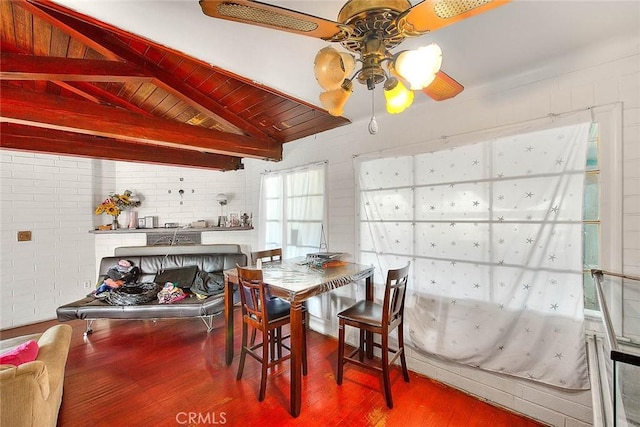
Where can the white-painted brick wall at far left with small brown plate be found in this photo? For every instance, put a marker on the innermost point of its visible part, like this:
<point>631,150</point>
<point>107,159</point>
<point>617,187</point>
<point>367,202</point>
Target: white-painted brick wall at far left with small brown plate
<point>49,196</point>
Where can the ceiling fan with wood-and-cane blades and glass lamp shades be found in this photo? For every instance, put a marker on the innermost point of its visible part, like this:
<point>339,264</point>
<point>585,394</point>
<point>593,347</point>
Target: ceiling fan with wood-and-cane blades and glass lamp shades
<point>369,29</point>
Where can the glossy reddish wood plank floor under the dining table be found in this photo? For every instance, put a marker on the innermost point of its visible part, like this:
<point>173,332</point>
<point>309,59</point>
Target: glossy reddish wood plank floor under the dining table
<point>172,373</point>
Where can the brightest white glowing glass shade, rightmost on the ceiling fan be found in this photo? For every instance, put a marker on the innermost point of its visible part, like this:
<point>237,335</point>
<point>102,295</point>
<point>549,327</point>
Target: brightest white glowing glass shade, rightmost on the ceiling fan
<point>418,67</point>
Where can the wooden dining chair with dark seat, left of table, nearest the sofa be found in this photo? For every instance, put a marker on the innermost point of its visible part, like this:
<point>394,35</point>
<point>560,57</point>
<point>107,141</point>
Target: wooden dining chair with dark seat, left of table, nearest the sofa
<point>267,315</point>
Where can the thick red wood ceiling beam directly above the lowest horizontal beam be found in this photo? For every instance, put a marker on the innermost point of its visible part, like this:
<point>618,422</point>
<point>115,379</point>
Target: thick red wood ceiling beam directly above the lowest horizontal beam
<point>55,112</point>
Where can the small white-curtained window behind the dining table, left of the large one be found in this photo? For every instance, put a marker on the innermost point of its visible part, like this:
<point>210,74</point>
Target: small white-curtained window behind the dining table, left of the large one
<point>293,210</point>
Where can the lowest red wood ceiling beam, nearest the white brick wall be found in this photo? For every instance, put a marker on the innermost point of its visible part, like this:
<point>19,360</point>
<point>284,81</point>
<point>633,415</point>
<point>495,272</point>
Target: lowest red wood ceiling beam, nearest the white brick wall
<point>20,137</point>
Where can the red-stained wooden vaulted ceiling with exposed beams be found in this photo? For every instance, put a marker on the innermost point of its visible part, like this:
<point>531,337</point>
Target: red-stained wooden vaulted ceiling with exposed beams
<point>73,85</point>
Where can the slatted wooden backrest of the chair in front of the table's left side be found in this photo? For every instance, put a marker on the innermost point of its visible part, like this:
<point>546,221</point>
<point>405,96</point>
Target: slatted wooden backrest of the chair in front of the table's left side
<point>252,296</point>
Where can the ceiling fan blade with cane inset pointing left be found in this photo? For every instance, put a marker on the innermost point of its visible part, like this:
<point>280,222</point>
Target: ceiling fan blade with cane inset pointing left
<point>274,17</point>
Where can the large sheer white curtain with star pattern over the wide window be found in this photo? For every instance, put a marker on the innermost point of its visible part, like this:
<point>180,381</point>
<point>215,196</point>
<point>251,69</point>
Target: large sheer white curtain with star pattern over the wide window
<point>494,233</point>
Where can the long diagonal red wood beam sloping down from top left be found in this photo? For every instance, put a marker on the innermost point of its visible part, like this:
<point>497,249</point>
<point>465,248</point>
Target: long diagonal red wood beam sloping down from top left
<point>84,25</point>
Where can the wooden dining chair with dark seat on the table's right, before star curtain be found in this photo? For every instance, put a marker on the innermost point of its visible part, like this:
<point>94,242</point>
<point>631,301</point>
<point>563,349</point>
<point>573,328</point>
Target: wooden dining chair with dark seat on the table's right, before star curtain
<point>381,319</point>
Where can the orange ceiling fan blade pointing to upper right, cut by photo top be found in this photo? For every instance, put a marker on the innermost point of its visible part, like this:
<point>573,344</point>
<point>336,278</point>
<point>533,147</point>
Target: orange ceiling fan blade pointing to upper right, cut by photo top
<point>431,15</point>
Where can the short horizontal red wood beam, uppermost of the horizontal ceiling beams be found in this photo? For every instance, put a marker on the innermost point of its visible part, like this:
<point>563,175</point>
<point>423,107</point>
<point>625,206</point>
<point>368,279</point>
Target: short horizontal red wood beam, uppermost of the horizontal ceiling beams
<point>27,67</point>
